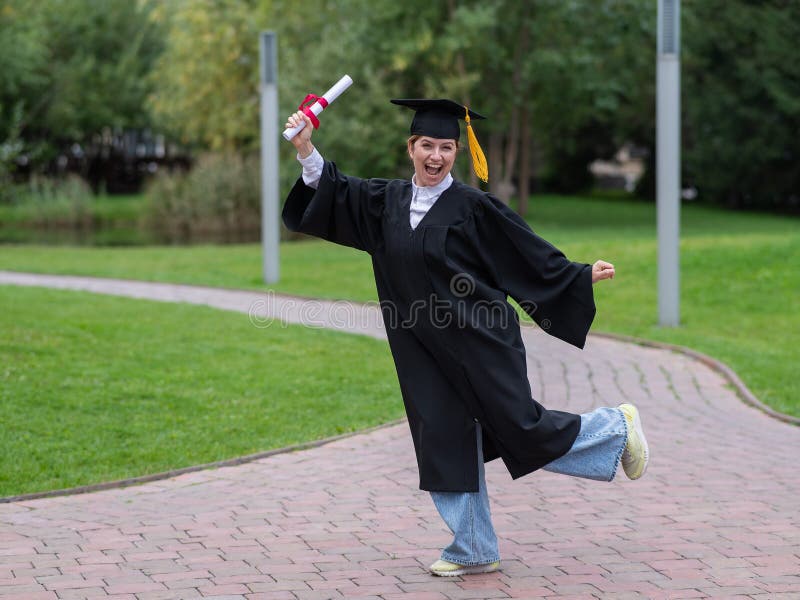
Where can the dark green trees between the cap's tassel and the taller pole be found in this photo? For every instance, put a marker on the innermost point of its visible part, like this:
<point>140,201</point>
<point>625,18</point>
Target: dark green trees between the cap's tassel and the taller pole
<point>564,78</point>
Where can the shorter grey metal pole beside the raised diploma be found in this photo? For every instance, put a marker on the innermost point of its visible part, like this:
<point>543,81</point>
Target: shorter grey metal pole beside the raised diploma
<point>270,228</point>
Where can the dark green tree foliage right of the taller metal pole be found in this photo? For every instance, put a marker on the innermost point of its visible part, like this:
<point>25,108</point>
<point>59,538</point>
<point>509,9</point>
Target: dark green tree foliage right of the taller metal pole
<point>742,102</point>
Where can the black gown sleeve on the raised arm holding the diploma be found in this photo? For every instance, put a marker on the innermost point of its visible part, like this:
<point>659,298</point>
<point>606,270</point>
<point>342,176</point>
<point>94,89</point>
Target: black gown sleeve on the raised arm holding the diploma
<point>344,210</point>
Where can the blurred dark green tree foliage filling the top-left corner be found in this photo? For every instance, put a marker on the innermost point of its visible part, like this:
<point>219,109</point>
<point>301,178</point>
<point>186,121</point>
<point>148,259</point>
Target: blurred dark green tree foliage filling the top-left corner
<point>71,68</point>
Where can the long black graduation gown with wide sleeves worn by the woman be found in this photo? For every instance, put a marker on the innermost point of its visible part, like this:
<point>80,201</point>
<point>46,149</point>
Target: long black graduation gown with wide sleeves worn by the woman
<point>455,339</point>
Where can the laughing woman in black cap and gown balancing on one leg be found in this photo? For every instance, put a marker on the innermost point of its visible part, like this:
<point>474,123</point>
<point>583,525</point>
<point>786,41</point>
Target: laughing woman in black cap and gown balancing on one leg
<point>445,257</point>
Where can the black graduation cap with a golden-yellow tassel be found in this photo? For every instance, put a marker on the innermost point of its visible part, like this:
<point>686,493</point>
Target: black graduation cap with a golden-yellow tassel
<point>439,119</point>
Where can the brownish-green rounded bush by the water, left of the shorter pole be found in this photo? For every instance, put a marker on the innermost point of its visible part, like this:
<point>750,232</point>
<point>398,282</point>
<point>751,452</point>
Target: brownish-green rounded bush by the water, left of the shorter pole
<point>219,199</point>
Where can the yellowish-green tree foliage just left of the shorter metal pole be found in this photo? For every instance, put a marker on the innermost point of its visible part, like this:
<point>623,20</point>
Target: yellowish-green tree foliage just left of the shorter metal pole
<point>205,84</point>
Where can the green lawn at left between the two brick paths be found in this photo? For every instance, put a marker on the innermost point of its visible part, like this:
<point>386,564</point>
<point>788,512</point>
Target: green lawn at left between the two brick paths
<point>95,388</point>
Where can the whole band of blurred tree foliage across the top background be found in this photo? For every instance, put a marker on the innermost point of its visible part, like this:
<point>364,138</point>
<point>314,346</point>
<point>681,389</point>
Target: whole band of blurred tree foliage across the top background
<point>563,82</point>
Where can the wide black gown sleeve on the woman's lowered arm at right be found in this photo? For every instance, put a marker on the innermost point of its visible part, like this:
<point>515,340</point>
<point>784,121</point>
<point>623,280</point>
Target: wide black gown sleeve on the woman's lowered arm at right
<point>556,292</point>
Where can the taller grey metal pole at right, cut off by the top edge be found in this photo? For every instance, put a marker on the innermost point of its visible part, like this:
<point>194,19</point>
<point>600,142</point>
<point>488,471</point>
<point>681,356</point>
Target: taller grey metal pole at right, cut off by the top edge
<point>668,161</point>
